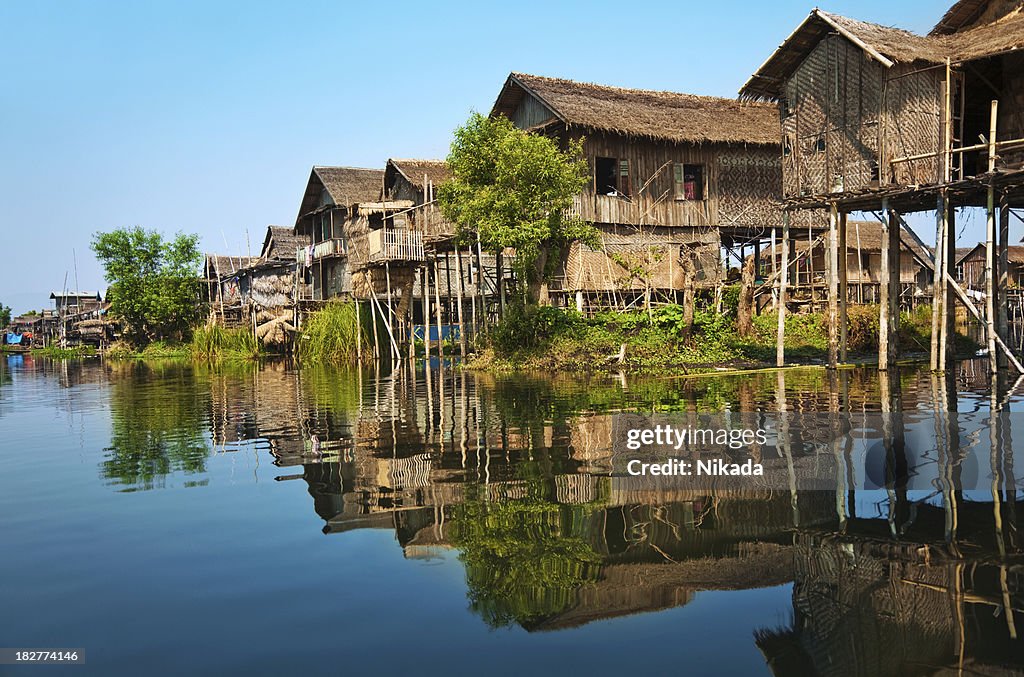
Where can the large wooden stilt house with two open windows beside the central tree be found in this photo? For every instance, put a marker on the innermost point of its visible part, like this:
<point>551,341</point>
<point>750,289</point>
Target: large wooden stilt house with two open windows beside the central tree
<point>673,177</point>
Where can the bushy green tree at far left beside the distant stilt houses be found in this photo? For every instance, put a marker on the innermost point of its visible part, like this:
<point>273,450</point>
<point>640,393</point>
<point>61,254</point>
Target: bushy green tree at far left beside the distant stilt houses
<point>154,283</point>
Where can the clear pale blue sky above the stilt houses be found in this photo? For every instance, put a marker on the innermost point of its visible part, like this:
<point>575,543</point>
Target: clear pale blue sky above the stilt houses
<point>206,117</point>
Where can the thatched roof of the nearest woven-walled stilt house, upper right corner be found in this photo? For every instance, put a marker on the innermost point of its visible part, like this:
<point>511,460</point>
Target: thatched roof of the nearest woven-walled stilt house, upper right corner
<point>887,46</point>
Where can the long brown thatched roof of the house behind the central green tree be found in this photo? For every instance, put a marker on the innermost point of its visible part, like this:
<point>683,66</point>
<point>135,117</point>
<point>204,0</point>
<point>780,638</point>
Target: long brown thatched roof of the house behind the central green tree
<point>639,113</point>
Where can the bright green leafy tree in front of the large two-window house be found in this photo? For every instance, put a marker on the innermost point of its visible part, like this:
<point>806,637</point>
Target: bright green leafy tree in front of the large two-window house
<point>513,189</point>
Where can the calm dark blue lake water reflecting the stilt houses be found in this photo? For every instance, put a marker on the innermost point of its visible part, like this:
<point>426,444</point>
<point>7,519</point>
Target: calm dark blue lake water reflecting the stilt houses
<point>173,520</point>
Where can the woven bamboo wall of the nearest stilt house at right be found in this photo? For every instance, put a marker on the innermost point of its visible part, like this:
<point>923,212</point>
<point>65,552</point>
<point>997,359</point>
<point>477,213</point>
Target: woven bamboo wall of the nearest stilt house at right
<point>841,98</point>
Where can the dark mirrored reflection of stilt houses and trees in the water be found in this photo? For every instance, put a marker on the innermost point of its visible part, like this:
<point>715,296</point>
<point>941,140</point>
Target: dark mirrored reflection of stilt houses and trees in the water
<point>511,476</point>
